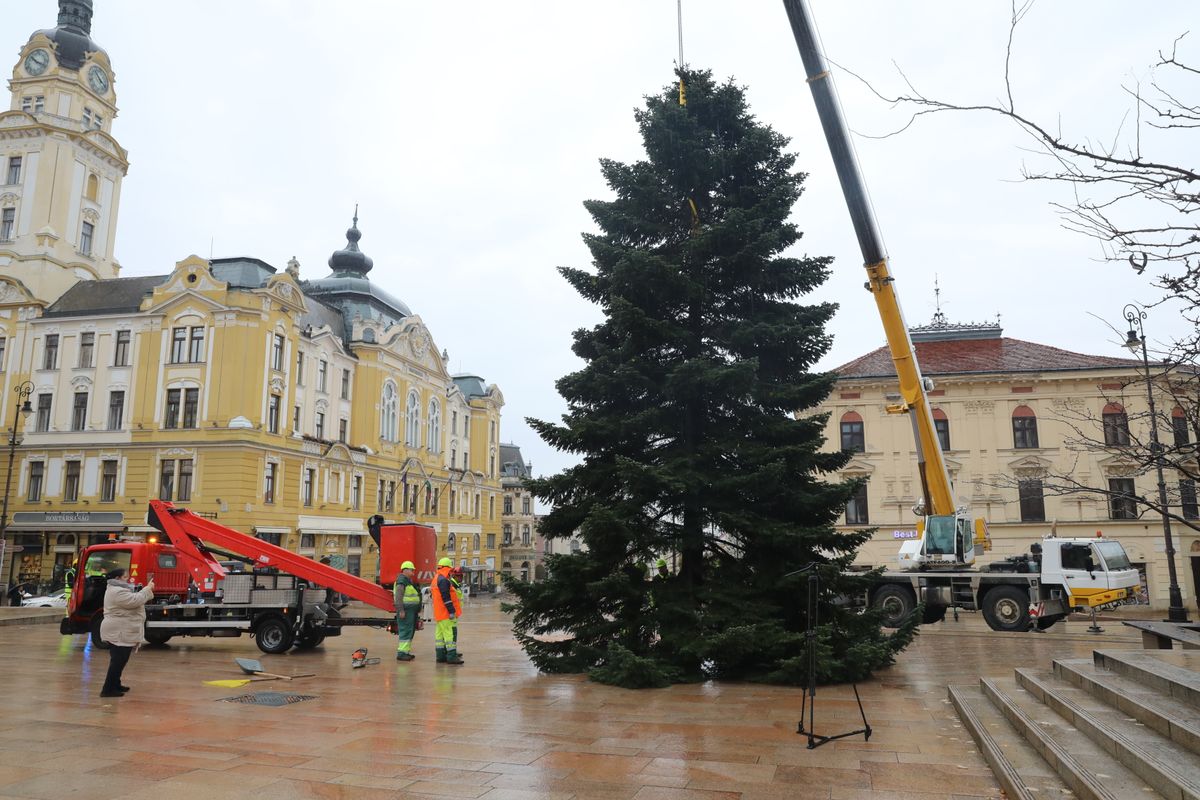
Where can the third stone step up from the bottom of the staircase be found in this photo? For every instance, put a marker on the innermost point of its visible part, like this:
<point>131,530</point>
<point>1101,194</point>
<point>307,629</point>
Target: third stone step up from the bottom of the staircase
<point>1172,769</point>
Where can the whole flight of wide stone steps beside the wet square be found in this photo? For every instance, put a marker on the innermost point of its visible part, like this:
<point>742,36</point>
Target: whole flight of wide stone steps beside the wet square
<point>1125,724</point>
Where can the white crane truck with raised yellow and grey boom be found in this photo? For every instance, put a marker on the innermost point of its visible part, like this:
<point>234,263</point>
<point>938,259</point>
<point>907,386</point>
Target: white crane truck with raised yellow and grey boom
<point>1033,591</point>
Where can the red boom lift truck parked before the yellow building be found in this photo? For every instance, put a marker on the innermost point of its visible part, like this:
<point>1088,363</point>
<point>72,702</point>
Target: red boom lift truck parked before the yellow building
<point>285,599</point>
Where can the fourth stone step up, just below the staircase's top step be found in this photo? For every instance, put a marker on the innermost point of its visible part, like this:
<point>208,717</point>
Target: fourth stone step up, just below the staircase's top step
<point>1165,714</point>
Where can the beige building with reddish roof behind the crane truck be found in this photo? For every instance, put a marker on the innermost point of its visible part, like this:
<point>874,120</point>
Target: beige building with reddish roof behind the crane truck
<point>1007,414</point>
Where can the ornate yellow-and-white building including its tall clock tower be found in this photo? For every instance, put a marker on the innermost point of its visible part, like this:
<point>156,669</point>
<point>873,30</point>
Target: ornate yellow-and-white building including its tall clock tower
<point>286,408</point>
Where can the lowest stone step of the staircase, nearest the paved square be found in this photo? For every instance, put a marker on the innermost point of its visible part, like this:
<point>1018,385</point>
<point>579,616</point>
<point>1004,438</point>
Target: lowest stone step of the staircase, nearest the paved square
<point>1022,772</point>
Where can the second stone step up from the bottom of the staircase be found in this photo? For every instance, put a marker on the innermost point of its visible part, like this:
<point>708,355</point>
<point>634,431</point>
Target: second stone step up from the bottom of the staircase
<point>1085,767</point>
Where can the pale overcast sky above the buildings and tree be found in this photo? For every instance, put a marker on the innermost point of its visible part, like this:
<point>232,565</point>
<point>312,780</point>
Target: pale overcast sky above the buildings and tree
<point>470,136</point>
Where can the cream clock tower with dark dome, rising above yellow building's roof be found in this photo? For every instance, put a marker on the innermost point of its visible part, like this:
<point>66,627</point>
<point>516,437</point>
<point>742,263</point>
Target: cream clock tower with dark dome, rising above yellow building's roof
<point>61,167</point>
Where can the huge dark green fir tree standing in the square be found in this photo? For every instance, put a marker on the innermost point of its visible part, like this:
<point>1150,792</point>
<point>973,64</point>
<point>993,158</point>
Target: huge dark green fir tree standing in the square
<point>685,420</point>
